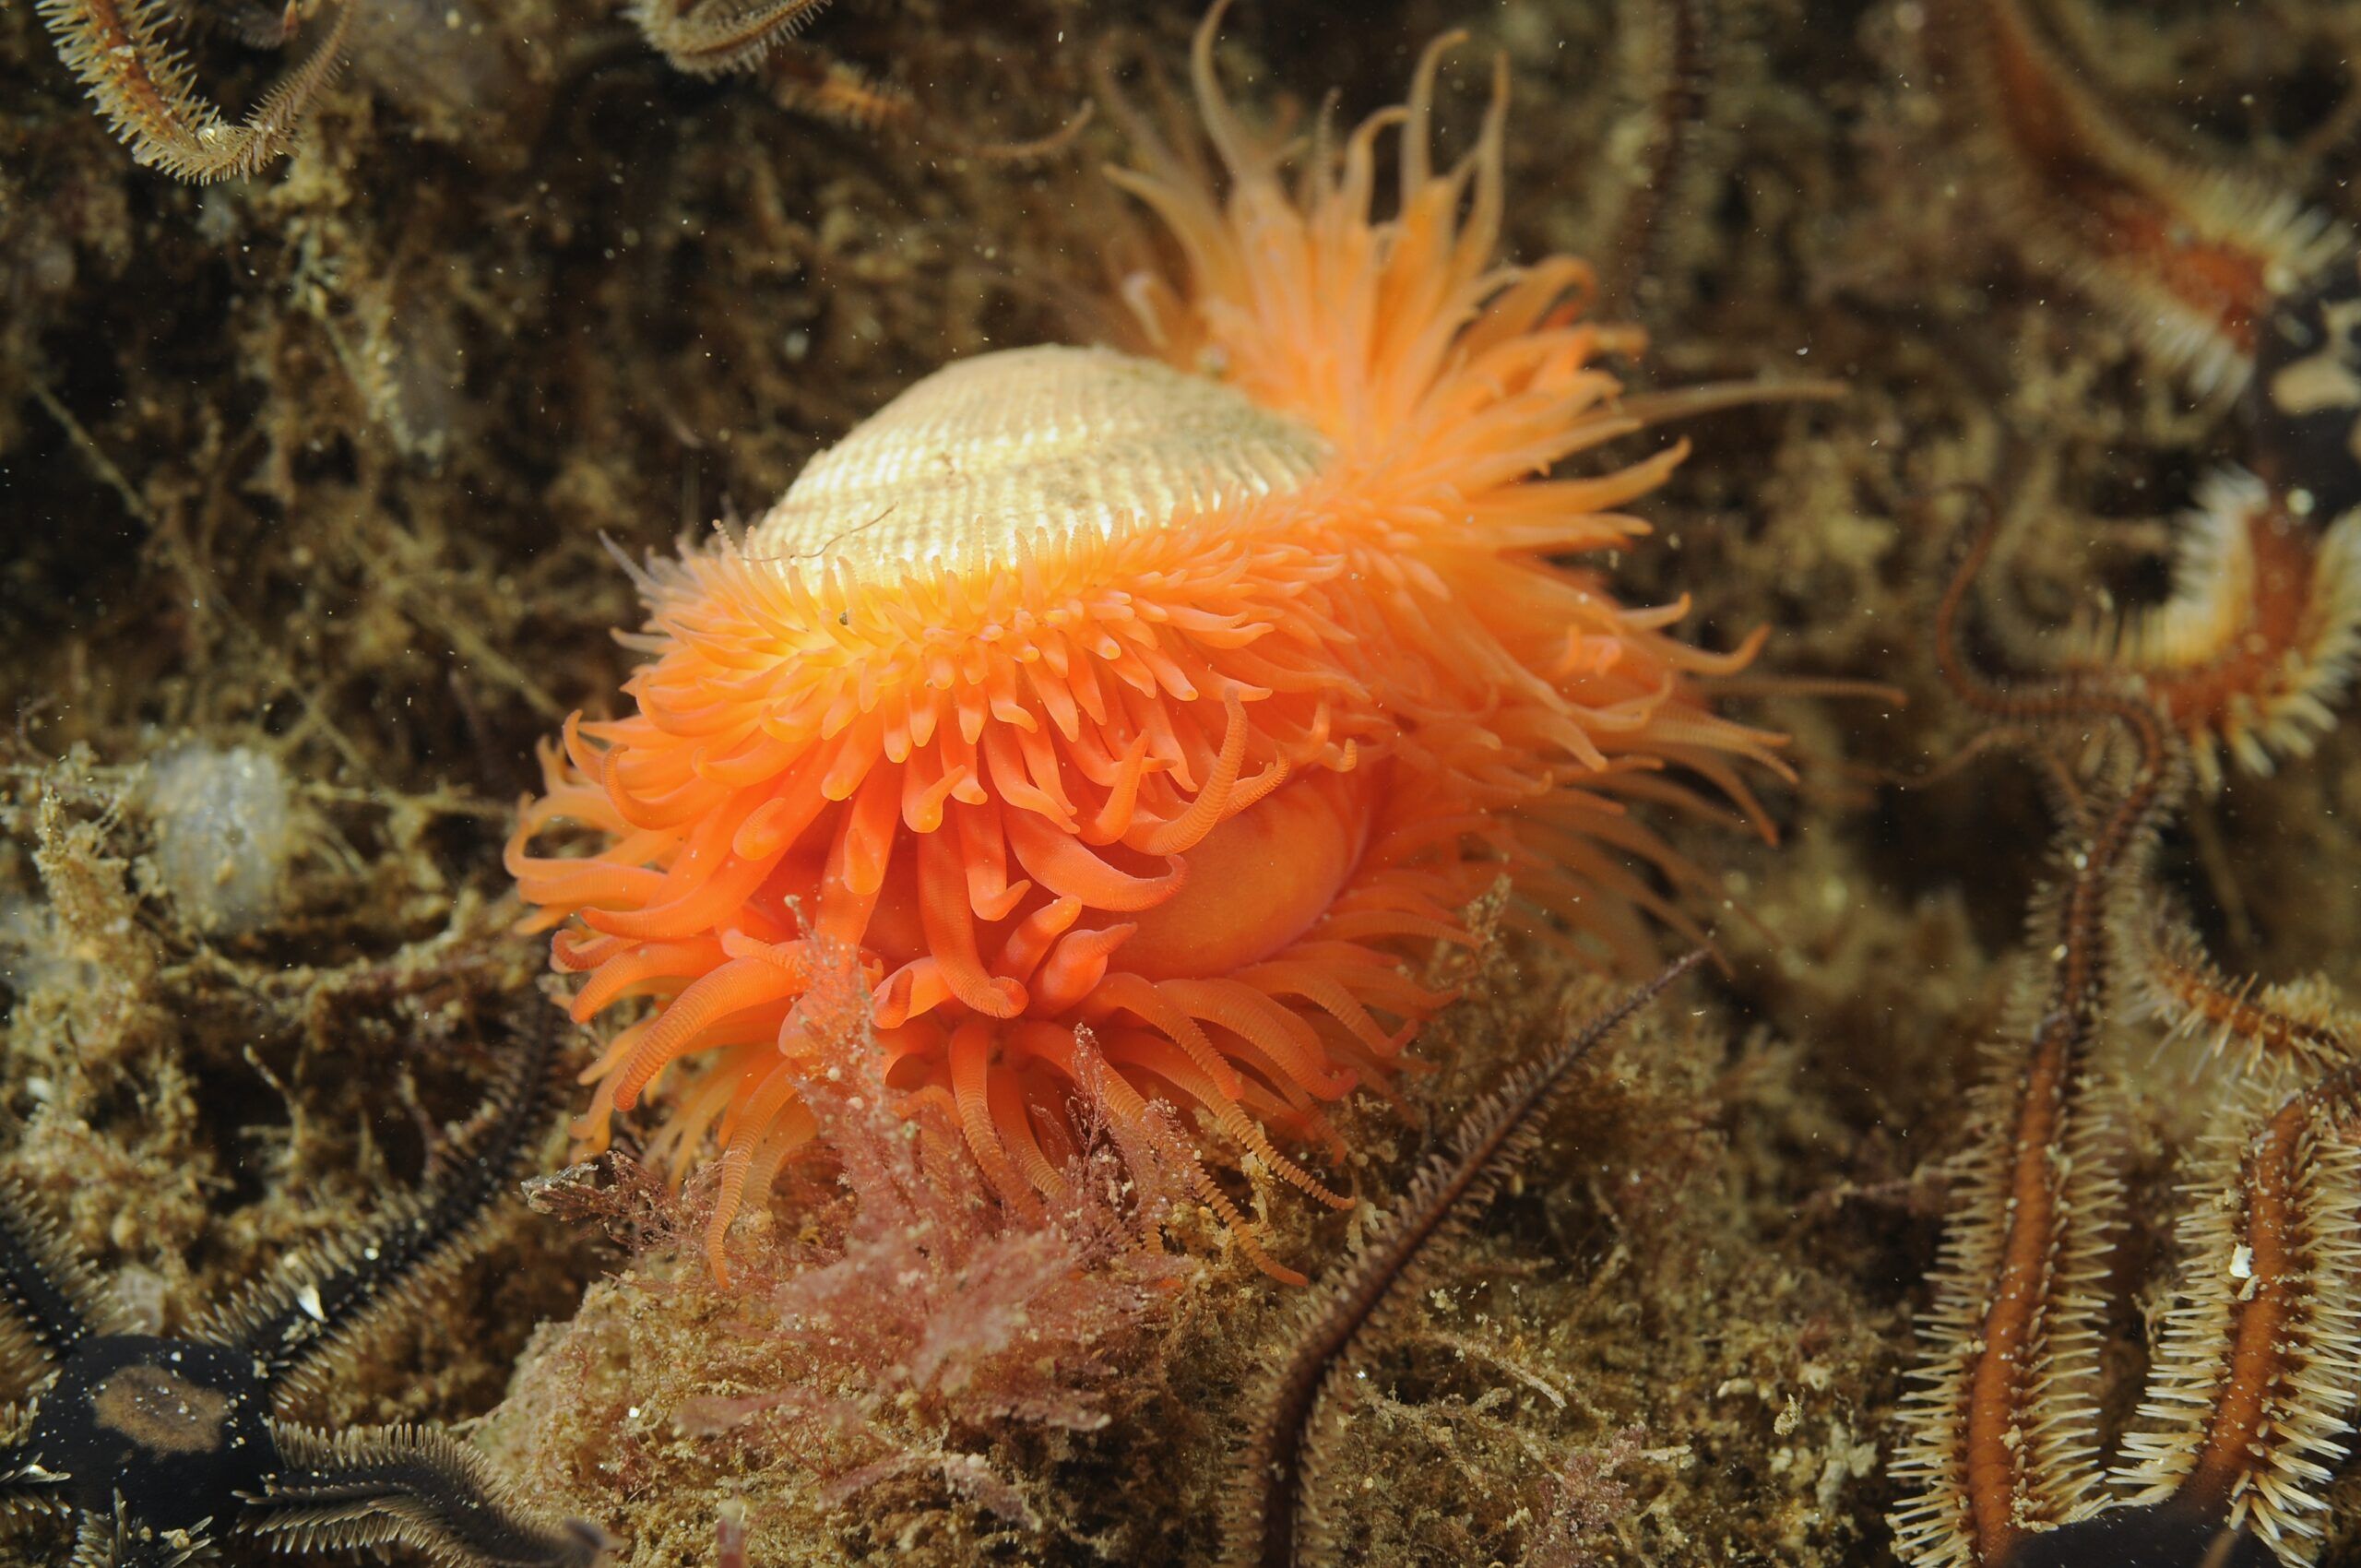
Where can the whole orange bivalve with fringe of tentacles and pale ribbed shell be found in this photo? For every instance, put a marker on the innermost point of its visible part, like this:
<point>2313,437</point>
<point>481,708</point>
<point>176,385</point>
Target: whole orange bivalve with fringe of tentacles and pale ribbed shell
<point>1144,712</point>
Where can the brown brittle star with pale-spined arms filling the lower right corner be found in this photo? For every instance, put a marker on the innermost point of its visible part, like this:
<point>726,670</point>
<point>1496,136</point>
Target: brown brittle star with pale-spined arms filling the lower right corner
<point>2256,1380</point>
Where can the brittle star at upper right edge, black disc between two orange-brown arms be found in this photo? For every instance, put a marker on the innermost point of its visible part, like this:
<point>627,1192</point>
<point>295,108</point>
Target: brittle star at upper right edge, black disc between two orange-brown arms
<point>2228,285</point>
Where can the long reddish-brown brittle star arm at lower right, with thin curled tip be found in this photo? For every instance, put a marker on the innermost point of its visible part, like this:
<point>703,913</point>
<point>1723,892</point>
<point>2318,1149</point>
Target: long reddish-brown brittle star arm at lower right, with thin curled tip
<point>2003,1435</point>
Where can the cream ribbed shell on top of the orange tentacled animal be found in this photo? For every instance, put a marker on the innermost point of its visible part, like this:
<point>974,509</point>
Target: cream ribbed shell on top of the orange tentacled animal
<point>1047,440</point>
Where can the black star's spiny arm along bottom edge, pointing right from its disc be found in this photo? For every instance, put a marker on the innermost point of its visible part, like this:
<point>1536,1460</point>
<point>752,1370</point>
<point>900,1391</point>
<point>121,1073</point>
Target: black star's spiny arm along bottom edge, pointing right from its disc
<point>414,1487</point>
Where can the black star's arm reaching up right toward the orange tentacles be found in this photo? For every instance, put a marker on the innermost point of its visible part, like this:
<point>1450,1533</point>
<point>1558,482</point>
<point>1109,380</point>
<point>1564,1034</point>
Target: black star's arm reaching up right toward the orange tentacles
<point>294,1324</point>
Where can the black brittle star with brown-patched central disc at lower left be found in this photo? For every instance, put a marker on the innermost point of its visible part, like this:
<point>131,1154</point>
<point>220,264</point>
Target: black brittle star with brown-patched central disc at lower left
<point>166,1446</point>
